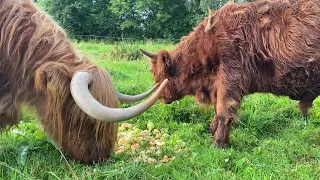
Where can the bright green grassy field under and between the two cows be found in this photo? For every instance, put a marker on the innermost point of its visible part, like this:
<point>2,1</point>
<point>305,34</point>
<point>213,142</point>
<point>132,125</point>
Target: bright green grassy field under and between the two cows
<point>272,141</point>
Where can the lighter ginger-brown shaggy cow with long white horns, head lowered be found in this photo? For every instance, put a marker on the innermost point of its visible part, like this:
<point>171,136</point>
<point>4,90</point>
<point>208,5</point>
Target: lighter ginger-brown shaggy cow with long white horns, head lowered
<point>76,100</point>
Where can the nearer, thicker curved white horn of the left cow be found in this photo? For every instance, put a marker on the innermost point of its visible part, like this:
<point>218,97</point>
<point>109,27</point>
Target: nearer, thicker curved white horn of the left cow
<point>84,99</point>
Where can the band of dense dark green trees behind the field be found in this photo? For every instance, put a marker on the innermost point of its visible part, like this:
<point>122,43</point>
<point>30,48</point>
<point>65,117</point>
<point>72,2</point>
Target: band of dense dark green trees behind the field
<point>138,19</point>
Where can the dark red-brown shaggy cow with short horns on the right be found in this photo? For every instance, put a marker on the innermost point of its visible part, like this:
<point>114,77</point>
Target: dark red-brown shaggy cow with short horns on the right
<point>269,46</point>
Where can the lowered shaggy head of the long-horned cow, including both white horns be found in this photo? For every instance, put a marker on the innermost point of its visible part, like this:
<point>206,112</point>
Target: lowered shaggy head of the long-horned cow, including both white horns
<point>79,108</point>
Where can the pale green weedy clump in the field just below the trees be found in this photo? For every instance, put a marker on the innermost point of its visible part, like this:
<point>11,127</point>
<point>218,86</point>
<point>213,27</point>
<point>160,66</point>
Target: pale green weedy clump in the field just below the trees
<point>126,51</point>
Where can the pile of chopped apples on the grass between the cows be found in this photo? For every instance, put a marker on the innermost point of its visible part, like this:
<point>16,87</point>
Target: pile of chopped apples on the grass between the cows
<point>148,145</point>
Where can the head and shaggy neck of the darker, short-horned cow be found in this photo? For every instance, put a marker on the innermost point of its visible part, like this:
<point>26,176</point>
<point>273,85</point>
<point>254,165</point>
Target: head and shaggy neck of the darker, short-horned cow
<point>189,65</point>
